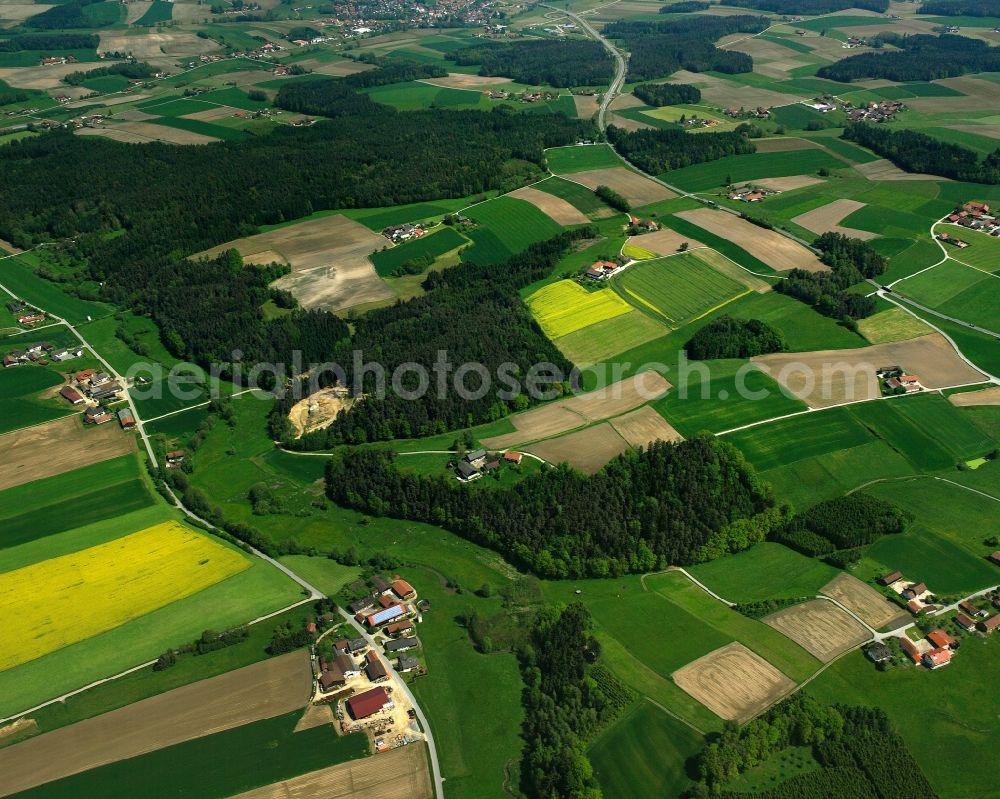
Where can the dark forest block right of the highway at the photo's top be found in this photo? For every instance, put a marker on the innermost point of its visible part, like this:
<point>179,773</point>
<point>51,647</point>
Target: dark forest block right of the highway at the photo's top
<point>660,48</point>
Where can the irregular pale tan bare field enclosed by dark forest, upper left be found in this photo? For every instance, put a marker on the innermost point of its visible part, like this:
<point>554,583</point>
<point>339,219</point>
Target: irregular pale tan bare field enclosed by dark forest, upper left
<point>329,260</point>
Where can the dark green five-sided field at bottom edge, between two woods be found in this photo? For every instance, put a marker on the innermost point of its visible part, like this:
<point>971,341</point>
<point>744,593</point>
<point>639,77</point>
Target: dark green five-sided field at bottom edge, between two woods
<point>642,755</point>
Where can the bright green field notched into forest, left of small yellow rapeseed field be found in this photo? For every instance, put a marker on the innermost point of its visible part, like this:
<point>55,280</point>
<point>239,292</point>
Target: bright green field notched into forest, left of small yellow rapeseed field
<point>506,226</point>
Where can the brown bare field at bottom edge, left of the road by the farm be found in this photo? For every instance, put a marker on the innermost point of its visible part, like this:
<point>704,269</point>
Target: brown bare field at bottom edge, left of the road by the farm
<point>397,774</point>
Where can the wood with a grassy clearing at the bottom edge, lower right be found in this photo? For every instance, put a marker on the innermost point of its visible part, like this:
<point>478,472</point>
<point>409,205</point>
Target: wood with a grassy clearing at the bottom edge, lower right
<point>860,753</point>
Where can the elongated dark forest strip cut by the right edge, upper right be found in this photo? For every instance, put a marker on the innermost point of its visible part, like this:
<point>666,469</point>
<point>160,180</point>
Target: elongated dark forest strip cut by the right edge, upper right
<point>914,151</point>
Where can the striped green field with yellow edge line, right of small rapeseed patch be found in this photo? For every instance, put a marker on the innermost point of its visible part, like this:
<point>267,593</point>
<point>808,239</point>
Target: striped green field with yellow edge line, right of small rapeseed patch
<point>676,289</point>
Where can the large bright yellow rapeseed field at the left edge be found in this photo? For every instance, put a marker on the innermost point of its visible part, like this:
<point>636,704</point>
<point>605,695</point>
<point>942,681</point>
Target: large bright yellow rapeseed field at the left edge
<point>73,597</point>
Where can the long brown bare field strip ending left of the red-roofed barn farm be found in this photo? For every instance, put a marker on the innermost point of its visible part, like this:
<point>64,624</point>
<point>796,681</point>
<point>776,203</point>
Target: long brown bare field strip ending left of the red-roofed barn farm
<point>263,690</point>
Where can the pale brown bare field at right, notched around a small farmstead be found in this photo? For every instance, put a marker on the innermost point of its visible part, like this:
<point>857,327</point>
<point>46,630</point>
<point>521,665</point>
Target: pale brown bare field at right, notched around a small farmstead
<point>829,377</point>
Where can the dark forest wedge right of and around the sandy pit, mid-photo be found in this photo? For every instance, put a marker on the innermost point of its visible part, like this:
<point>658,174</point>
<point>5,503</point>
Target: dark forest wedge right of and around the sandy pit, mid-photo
<point>415,331</point>
